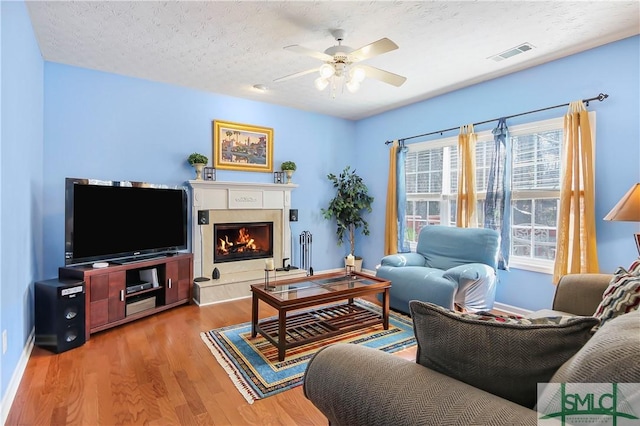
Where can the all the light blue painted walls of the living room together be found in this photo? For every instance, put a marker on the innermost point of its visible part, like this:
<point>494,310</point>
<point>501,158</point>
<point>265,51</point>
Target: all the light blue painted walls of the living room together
<point>85,123</point>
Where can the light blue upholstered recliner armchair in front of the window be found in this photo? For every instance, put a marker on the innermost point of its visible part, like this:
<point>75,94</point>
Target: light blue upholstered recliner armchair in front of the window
<point>451,266</point>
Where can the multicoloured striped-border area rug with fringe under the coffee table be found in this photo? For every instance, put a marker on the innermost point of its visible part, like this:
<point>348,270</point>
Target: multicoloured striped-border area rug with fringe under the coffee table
<point>253,366</point>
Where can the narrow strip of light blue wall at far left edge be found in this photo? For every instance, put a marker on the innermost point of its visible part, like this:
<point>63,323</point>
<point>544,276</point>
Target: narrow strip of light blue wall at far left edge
<point>21,209</point>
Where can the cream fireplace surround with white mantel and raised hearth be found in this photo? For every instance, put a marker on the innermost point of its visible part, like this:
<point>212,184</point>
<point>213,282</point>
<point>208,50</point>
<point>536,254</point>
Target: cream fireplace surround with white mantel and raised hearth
<point>235,203</point>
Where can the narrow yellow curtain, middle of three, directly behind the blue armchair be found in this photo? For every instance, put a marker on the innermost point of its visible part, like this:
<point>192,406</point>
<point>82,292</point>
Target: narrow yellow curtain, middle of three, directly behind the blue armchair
<point>466,209</point>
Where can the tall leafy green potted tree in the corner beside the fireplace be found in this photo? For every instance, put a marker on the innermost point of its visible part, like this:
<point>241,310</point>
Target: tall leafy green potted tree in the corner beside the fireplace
<point>351,201</point>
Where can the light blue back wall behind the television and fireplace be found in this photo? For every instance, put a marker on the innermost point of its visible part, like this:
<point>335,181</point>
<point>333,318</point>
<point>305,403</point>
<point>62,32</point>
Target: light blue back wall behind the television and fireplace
<point>106,126</point>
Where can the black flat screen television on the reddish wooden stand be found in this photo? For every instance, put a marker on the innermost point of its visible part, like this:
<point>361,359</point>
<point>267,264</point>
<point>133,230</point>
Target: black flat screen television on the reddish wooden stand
<point>122,221</point>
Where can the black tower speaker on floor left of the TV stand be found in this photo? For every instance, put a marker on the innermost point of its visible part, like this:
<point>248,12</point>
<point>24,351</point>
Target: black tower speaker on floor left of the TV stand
<point>60,314</point>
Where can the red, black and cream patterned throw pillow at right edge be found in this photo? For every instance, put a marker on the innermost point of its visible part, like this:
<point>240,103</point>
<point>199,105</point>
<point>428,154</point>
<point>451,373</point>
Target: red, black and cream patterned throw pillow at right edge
<point>622,295</point>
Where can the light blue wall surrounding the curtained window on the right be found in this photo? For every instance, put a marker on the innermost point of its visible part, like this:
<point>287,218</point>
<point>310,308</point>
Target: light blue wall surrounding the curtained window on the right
<point>611,69</point>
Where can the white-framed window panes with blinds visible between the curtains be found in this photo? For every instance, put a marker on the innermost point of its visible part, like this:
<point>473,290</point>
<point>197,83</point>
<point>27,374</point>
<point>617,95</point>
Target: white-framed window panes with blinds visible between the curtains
<point>431,182</point>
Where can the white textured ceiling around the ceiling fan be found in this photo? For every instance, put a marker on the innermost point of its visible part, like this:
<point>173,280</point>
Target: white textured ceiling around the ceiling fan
<point>227,47</point>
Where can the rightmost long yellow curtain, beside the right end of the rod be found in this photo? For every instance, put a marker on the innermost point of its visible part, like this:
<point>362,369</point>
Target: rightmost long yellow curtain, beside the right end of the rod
<point>576,241</point>
